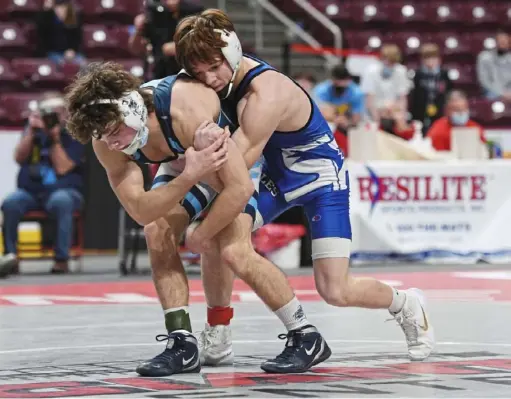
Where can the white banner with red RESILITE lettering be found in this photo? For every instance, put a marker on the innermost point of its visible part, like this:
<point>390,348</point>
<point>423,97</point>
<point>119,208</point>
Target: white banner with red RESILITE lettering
<point>457,211</point>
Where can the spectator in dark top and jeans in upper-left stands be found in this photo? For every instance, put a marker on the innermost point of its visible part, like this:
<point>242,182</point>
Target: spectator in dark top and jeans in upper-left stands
<point>59,32</point>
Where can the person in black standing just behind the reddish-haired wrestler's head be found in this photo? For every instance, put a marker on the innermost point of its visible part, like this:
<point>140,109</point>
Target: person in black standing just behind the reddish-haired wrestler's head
<point>156,27</point>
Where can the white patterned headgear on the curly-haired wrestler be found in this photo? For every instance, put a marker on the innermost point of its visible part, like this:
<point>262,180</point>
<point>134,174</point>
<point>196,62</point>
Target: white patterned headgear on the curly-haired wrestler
<point>134,113</point>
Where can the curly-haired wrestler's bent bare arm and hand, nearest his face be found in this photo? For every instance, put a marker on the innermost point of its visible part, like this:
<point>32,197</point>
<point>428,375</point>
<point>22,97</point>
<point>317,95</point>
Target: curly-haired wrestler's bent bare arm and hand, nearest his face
<point>127,181</point>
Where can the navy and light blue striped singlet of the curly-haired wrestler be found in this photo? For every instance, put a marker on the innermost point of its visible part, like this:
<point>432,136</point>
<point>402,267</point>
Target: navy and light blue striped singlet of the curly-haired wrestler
<point>201,195</point>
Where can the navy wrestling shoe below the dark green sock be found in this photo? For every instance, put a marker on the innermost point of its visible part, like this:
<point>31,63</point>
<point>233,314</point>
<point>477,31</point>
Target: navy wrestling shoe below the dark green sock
<point>180,356</point>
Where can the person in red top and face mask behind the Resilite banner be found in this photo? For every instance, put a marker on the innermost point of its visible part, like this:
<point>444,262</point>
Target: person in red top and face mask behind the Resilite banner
<point>457,114</point>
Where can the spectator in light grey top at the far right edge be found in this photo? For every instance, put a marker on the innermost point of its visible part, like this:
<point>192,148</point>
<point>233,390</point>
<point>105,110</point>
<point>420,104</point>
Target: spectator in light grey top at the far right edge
<point>494,69</point>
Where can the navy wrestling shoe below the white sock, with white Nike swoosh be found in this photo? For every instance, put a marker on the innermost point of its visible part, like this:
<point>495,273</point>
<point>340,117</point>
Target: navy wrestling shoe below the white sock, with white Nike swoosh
<point>305,348</point>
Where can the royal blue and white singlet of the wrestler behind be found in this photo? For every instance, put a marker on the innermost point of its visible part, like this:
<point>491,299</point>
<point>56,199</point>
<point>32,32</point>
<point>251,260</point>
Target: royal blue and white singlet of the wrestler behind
<point>303,168</point>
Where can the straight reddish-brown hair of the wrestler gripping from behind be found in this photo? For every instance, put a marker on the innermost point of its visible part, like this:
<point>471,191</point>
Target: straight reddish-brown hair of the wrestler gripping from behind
<point>196,41</point>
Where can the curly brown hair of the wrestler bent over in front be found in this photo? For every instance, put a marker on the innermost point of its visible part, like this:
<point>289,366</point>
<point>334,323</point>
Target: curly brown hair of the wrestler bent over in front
<point>100,80</point>
